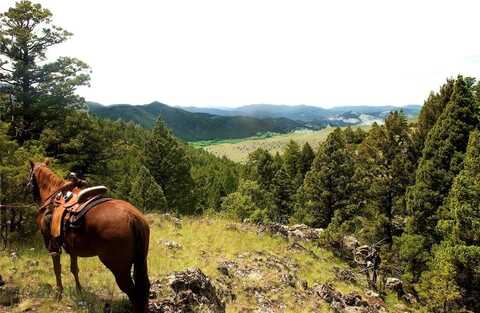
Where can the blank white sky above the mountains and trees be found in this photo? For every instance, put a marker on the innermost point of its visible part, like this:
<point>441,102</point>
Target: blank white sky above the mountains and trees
<point>222,53</point>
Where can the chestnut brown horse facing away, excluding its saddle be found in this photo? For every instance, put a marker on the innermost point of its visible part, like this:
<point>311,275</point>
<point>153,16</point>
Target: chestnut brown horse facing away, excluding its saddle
<point>115,231</point>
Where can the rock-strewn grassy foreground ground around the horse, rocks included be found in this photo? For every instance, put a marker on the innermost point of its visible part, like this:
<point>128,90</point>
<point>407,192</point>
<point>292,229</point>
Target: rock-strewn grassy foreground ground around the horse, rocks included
<point>234,268</point>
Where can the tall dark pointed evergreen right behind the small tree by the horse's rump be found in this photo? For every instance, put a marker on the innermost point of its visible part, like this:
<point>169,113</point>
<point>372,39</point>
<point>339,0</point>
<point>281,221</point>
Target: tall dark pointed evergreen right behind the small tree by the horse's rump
<point>168,163</point>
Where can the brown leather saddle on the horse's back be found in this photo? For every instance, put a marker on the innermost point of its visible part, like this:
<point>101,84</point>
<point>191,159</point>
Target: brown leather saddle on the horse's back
<point>71,207</point>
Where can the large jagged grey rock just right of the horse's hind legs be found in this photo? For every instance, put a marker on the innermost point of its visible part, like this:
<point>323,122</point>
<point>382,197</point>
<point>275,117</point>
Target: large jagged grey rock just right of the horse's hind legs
<point>191,289</point>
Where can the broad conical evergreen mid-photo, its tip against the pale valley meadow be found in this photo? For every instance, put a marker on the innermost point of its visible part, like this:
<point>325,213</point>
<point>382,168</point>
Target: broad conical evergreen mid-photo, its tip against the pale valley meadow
<point>327,186</point>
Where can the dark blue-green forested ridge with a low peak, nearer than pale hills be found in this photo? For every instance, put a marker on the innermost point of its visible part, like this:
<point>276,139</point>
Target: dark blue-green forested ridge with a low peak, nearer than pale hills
<point>192,126</point>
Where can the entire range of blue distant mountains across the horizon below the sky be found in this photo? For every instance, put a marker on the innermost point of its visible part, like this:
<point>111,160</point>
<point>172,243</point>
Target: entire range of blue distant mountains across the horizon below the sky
<point>194,123</point>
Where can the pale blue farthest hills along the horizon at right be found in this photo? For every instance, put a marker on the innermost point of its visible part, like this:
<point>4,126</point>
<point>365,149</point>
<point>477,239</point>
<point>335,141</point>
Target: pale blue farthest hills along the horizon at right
<point>307,113</point>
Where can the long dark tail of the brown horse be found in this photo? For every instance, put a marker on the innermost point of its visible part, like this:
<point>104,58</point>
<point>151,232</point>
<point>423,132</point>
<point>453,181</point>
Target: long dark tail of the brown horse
<point>141,233</point>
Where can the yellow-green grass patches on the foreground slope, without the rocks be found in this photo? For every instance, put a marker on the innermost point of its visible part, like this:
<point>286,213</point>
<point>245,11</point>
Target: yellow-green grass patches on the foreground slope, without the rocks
<point>205,241</point>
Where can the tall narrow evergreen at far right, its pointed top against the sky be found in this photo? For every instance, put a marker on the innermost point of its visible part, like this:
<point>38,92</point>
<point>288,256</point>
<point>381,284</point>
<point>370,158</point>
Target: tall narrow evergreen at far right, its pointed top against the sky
<point>441,161</point>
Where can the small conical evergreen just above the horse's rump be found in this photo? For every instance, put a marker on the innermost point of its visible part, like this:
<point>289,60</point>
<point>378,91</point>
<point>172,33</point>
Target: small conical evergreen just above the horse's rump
<point>146,194</point>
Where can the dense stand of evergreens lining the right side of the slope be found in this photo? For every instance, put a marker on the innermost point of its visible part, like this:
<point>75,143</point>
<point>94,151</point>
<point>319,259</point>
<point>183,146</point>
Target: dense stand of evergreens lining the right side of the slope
<point>414,186</point>
